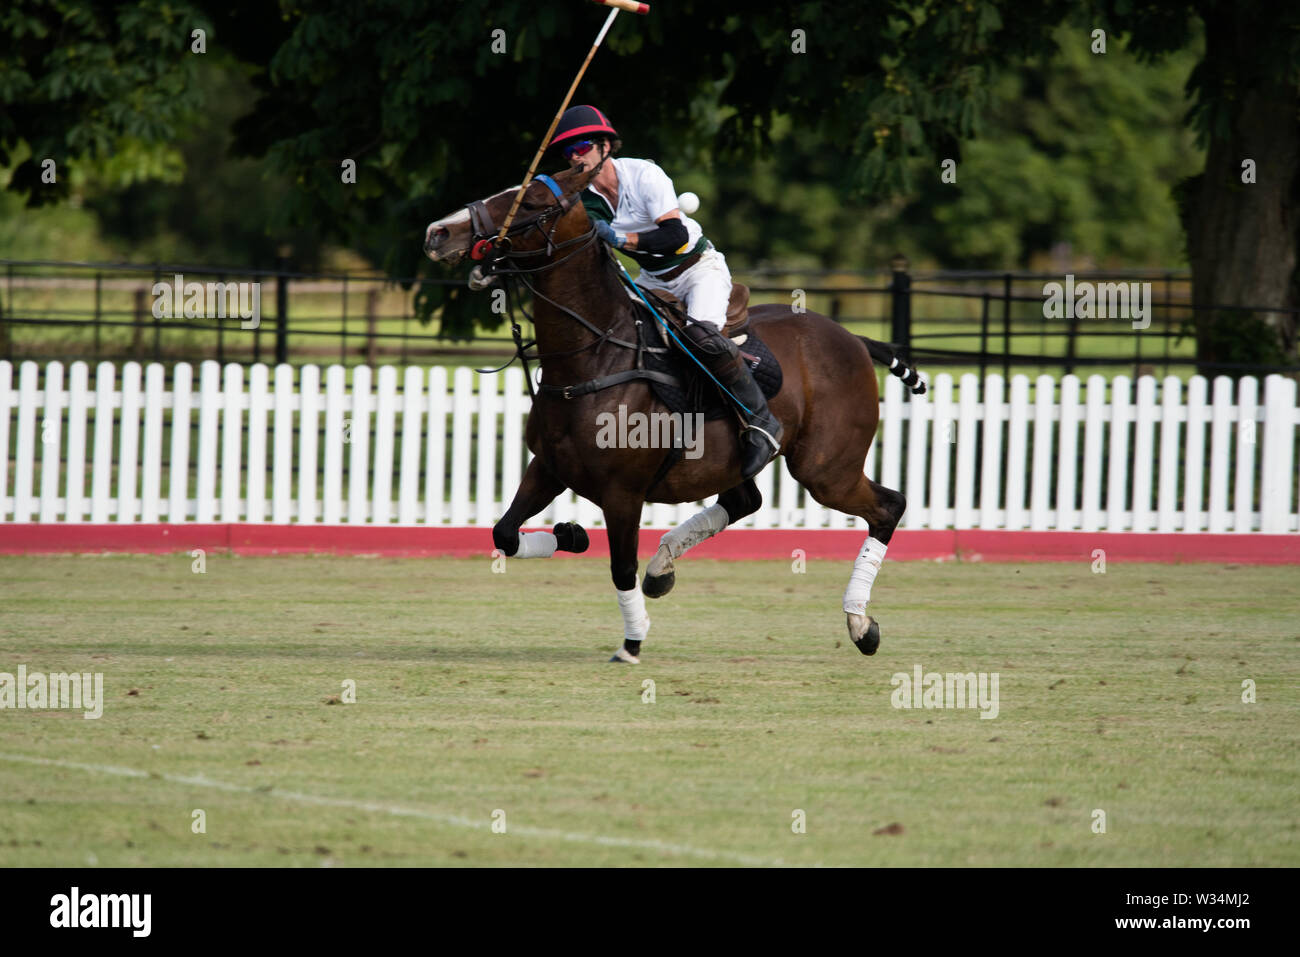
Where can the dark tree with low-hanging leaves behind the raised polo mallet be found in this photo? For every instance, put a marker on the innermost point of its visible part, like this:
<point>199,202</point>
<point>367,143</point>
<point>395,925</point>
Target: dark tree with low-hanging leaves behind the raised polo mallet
<point>439,110</point>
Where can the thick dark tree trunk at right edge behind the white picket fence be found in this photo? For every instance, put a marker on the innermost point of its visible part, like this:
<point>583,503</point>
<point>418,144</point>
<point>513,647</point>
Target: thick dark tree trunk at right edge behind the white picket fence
<point>1242,239</point>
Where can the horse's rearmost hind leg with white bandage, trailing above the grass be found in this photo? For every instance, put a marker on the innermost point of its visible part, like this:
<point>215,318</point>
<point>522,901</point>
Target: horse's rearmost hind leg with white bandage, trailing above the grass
<point>882,509</point>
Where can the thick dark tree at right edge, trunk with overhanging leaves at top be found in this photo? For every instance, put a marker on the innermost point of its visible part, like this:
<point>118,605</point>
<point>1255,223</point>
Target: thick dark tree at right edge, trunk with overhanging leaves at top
<point>1242,237</point>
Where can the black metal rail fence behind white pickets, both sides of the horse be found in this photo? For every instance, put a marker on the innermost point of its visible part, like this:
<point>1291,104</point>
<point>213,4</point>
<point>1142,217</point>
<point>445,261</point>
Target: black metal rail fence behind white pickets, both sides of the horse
<point>976,322</point>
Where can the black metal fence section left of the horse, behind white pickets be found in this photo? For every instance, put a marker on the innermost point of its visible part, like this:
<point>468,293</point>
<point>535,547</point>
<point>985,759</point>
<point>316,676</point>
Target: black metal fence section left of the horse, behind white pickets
<point>109,311</point>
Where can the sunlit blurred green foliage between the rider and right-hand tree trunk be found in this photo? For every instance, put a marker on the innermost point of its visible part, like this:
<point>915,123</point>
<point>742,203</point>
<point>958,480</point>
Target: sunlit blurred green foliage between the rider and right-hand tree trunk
<point>1077,149</point>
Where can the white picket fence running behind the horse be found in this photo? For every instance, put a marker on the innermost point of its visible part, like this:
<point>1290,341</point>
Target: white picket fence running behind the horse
<point>1046,456</point>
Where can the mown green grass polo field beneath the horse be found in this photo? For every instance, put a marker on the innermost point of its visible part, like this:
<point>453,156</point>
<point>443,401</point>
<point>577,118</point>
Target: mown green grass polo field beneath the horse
<point>479,692</point>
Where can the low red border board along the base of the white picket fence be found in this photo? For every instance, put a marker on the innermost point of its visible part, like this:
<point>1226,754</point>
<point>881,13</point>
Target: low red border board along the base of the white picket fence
<point>973,545</point>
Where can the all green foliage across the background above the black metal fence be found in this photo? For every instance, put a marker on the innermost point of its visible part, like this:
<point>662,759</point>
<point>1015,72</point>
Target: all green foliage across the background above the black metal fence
<point>827,158</point>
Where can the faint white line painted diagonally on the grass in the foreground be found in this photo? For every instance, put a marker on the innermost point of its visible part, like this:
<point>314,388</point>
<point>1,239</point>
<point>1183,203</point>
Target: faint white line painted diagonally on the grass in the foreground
<point>397,811</point>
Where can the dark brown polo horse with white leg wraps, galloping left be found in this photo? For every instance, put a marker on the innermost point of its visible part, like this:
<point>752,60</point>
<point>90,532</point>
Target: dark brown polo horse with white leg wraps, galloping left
<point>587,330</point>
